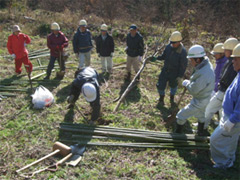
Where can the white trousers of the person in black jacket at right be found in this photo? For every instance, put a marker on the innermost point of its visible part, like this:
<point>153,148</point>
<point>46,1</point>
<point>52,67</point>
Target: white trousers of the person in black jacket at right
<point>214,106</point>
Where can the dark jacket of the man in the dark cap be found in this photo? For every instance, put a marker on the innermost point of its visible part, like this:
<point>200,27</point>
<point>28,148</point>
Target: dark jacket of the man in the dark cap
<point>135,45</point>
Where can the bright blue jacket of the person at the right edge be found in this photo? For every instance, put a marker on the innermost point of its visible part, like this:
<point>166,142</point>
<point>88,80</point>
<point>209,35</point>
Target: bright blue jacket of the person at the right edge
<point>231,102</point>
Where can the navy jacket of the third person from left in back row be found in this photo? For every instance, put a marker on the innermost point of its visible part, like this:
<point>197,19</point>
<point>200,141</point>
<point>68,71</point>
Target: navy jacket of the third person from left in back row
<point>82,41</point>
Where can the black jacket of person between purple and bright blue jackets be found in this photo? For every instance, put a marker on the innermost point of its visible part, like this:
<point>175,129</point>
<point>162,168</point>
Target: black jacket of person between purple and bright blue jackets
<point>227,76</point>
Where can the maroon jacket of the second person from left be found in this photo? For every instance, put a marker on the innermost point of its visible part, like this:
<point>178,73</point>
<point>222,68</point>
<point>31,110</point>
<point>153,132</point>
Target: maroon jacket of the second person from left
<point>53,41</point>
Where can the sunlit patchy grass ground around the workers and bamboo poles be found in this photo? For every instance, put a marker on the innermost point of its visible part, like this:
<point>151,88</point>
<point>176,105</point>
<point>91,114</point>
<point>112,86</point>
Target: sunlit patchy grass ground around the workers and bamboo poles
<point>27,134</point>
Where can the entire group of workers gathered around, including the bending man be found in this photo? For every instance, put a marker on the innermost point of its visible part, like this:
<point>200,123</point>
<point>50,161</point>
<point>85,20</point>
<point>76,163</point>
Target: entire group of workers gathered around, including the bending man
<point>212,90</point>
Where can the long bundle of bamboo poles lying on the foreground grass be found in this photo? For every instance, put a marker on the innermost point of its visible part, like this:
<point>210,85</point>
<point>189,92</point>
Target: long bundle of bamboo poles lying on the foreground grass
<point>83,134</point>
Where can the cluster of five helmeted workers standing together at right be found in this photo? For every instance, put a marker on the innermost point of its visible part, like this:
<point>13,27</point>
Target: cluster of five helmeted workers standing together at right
<point>212,91</point>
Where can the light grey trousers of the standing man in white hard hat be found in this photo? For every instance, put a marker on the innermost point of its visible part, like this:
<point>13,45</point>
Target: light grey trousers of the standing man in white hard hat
<point>195,108</point>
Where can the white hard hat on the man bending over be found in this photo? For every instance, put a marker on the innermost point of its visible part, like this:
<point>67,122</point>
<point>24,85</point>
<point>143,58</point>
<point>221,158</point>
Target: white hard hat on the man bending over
<point>89,92</point>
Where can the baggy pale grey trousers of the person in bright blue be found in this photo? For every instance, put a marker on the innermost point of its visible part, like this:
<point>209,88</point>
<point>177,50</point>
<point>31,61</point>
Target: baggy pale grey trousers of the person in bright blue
<point>223,144</point>
